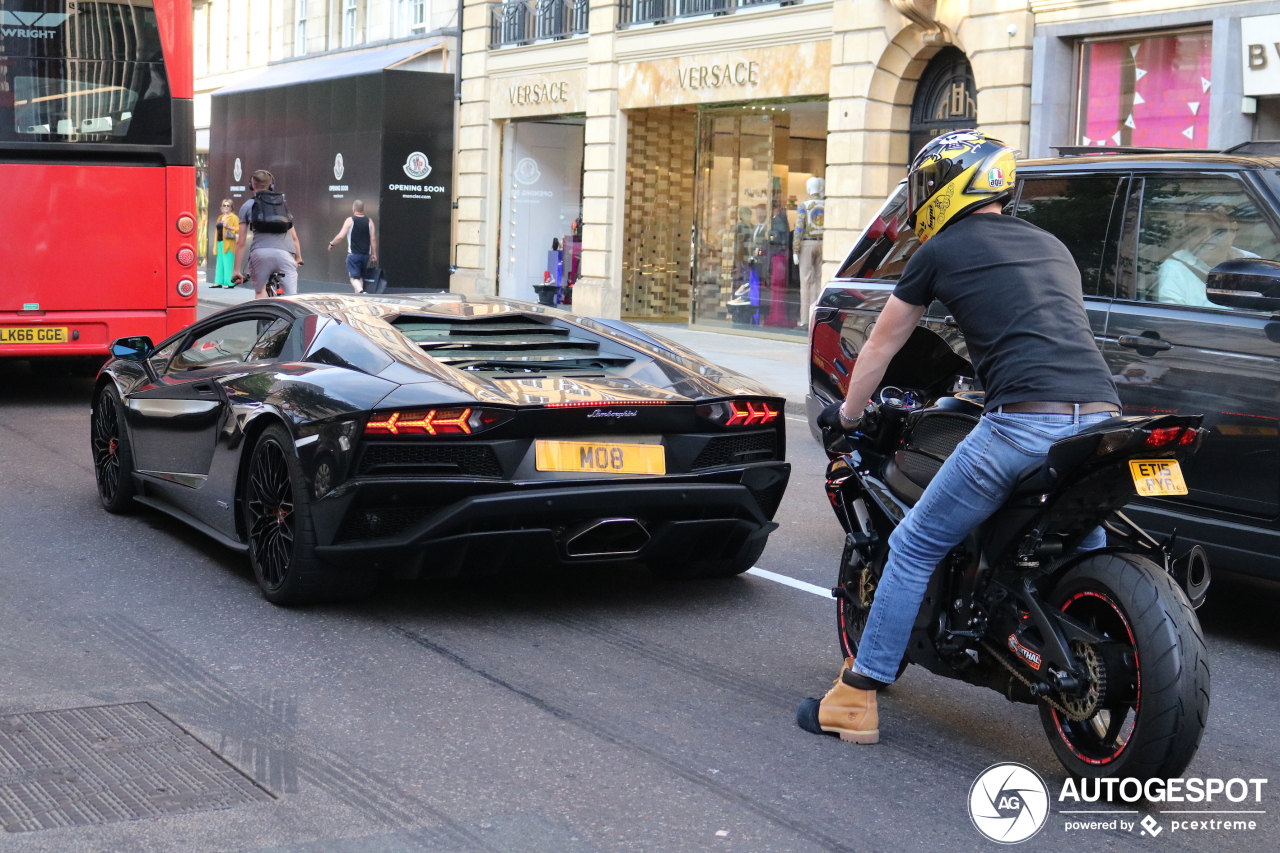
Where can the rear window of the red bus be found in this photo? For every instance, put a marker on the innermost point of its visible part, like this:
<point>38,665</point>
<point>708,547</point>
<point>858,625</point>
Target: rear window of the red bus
<point>74,71</point>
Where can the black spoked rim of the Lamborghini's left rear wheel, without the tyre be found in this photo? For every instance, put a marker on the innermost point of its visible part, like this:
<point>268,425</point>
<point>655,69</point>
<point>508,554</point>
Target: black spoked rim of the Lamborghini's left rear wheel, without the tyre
<point>269,504</point>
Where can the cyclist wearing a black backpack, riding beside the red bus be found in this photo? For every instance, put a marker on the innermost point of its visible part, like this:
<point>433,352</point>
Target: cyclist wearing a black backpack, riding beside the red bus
<point>276,247</point>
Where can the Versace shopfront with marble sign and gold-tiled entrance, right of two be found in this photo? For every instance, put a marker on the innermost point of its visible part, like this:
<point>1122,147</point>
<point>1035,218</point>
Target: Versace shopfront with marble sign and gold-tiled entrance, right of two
<point>724,195</point>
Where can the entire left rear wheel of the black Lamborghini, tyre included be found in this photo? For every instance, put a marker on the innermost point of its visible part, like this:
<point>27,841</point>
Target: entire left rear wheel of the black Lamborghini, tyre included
<point>282,537</point>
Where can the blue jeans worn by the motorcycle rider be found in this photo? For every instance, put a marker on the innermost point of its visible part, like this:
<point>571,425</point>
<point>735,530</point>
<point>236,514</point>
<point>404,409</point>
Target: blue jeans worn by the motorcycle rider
<point>971,486</point>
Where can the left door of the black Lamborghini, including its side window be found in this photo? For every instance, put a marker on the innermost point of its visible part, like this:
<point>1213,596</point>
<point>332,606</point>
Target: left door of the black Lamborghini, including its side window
<point>175,421</point>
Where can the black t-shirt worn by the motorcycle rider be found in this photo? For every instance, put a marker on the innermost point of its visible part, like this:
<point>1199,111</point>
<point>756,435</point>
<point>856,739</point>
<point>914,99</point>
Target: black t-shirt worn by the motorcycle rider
<point>1016,293</point>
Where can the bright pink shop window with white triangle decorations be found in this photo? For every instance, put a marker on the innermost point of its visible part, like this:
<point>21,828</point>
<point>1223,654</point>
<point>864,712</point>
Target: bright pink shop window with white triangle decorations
<point>1146,92</point>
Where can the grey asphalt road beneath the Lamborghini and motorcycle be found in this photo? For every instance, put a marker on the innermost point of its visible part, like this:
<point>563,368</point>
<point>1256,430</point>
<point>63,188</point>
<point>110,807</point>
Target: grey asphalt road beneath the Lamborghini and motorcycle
<point>563,714</point>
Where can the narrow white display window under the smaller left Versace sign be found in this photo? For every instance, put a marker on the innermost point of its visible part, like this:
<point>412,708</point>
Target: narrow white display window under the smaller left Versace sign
<point>541,240</point>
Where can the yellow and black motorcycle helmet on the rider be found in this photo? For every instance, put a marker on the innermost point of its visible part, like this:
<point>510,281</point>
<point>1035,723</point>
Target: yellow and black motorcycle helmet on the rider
<point>956,174</point>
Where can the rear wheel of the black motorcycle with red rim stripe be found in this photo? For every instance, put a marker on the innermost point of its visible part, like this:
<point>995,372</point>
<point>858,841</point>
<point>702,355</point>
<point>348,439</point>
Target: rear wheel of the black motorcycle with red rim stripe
<point>1149,687</point>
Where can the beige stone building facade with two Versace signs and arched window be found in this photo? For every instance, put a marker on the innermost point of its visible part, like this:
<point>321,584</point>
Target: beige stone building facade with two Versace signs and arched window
<point>706,166</point>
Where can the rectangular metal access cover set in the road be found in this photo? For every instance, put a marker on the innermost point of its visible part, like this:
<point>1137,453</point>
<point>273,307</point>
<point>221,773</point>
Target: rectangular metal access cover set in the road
<point>115,763</point>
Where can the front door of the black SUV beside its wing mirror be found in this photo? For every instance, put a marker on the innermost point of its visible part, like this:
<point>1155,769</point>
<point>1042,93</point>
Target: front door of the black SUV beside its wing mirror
<point>1173,349</point>
